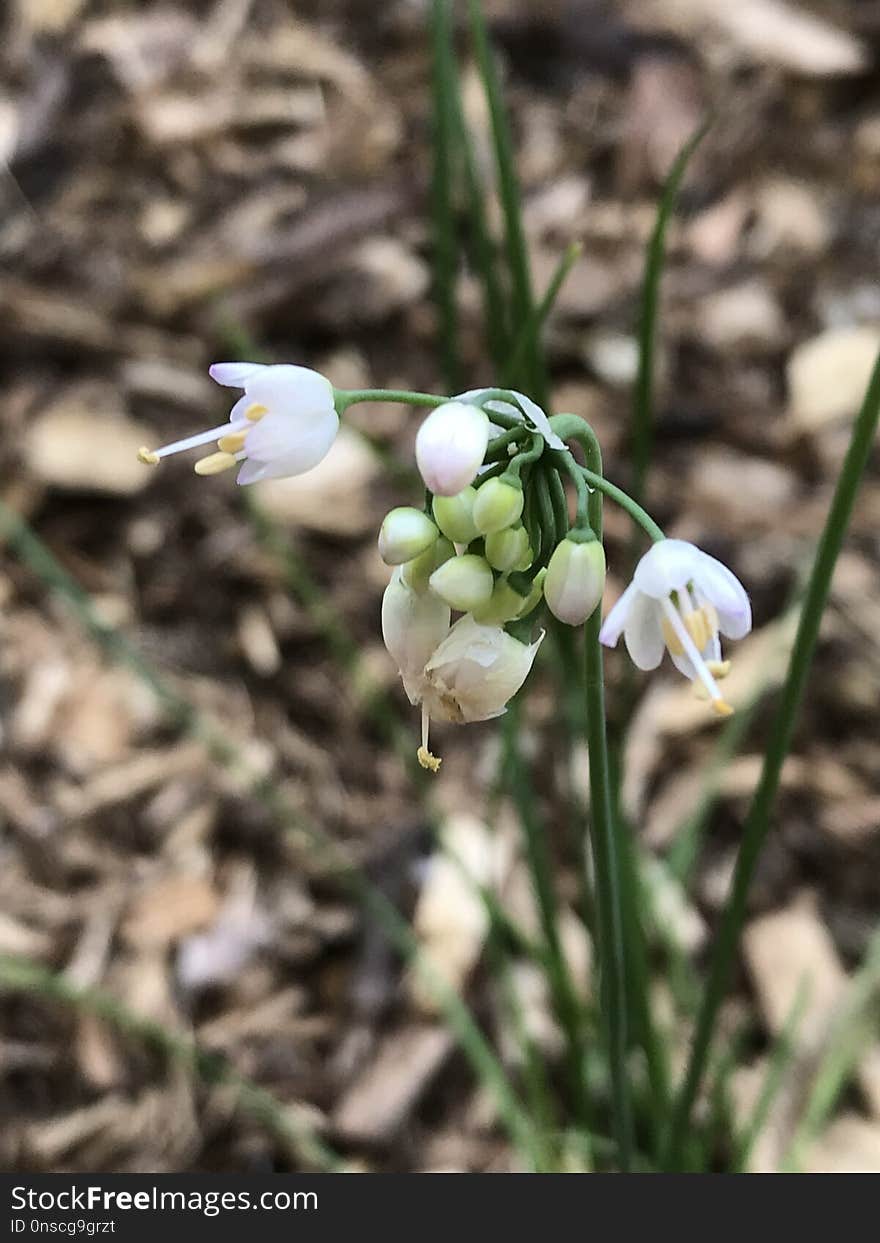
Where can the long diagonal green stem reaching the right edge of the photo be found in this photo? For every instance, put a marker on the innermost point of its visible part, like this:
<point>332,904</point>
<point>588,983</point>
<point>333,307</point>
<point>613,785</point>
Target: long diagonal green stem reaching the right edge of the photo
<point>759,820</point>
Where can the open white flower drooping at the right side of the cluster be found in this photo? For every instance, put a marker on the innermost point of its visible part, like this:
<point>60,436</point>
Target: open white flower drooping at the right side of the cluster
<point>682,600</point>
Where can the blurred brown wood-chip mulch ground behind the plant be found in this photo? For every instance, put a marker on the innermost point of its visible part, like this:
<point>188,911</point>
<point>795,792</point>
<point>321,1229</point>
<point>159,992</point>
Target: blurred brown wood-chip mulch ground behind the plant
<point>211,180</point>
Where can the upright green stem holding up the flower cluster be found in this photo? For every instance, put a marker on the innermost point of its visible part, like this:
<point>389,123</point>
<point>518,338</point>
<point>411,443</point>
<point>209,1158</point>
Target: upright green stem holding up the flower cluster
<point>606,858</point>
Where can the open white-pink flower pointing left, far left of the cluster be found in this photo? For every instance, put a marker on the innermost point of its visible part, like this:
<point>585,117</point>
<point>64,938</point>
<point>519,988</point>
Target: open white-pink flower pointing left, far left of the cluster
<point>284,424</point>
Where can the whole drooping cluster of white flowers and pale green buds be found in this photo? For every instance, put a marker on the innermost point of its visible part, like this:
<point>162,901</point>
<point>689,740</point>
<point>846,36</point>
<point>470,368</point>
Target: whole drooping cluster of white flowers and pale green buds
<point>494,543</point>
